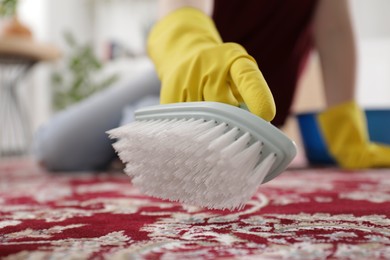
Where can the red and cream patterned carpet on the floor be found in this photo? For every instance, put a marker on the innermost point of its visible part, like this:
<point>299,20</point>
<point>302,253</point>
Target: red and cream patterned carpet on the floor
<point>303,214</point>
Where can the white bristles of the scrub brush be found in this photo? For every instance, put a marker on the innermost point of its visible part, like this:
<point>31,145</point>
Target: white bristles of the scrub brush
<point>193,161</point>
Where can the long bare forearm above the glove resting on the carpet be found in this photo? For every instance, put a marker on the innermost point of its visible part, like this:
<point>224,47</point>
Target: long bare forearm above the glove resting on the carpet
<point>335,42</point>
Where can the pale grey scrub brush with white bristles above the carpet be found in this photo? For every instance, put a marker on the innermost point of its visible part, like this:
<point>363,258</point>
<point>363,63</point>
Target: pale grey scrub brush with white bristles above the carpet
<point>205,154</point>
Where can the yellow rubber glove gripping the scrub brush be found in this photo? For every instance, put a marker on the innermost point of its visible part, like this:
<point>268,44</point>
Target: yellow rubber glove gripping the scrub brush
<point>195,65</point>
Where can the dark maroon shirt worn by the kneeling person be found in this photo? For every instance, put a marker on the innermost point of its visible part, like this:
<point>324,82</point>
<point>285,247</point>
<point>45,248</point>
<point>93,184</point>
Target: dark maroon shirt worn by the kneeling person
<point>277,33</point>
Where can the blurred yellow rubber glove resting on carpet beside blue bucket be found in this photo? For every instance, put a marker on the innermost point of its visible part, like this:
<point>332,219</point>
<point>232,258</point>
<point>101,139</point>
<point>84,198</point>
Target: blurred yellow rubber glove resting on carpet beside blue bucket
<point>345,132</point>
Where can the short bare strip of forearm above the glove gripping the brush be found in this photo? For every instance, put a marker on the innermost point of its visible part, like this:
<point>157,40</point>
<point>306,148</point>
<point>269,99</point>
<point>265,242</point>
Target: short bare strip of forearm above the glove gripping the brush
<point>167,6</point>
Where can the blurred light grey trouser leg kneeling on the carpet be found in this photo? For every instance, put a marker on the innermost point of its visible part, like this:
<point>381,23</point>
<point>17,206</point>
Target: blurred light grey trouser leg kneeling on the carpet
<point>75,138</point>
